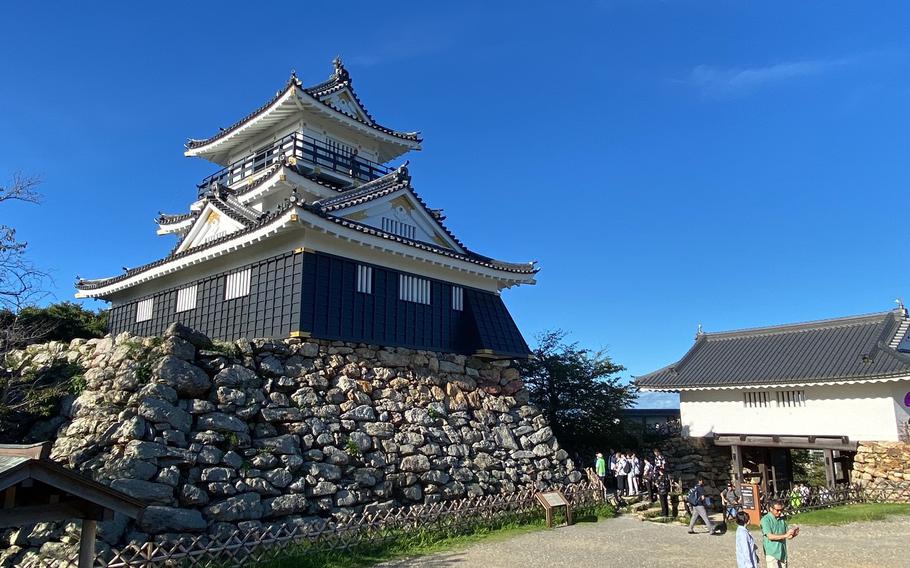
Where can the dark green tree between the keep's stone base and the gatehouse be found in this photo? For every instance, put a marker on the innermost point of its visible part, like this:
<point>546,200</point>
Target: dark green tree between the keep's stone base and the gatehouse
<point>579,391</point>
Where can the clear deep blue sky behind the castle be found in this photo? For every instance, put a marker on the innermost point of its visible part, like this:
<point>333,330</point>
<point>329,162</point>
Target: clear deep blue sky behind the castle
<point>671,163</point>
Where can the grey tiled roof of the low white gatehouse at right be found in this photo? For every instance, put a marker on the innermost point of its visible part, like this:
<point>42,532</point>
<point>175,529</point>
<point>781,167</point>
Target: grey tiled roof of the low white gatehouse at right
<point>843,349</point>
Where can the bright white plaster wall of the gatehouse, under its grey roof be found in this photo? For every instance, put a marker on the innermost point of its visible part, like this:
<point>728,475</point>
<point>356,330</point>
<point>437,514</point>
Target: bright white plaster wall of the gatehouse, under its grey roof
<point>866,412</point>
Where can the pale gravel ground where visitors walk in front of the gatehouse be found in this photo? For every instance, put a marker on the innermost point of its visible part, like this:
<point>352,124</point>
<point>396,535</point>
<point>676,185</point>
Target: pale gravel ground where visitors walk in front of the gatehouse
<point>627,542</point>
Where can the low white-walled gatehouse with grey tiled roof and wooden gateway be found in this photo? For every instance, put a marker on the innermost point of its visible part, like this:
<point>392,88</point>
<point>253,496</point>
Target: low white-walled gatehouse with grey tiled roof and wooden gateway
<point>821,385</point>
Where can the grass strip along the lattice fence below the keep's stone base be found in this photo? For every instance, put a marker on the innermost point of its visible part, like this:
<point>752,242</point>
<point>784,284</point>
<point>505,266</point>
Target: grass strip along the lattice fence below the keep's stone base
<point>414,543</point>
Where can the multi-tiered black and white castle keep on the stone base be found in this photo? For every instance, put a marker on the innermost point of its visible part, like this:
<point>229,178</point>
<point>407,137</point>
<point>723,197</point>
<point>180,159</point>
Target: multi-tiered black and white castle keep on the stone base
<point>306,232</point>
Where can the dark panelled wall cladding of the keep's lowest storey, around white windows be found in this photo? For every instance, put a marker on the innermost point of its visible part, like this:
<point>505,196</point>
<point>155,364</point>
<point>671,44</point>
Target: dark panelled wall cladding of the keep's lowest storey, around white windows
<point>317,293</point>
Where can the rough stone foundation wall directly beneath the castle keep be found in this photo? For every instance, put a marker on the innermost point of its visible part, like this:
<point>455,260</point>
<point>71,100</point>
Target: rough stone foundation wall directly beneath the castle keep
<point>215,437</point>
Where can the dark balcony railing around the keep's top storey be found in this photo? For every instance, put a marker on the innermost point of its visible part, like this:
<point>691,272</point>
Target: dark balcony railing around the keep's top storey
<point>311,151</point>
